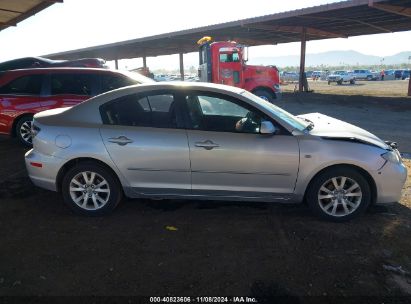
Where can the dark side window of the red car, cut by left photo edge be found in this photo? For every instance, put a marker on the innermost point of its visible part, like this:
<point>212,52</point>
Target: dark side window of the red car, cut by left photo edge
<point>26,85</point>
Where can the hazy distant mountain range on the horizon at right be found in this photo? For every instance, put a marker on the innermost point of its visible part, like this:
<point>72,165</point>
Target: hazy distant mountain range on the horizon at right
<point>333,58</point>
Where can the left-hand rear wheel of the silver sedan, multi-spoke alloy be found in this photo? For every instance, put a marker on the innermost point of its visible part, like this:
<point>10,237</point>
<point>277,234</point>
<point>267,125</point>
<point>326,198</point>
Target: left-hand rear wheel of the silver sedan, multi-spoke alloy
<point>90,189</point>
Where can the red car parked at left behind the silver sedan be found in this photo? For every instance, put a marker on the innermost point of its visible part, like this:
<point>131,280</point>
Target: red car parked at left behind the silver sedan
<point>26,92</point>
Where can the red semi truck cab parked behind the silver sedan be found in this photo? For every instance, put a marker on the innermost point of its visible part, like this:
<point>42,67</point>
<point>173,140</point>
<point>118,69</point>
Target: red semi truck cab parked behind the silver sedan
<point>225,62</point>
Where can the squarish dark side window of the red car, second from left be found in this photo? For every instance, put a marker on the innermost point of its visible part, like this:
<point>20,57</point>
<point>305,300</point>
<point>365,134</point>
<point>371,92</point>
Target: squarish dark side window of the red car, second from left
<point>73,84</point>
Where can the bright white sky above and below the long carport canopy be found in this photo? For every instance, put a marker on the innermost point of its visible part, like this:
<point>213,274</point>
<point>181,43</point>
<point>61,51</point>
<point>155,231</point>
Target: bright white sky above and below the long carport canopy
<point>82,23</point>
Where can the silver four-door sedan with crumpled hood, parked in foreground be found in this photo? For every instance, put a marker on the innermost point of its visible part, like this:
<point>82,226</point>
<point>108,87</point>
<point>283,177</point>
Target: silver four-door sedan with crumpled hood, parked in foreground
<point>207,141</point>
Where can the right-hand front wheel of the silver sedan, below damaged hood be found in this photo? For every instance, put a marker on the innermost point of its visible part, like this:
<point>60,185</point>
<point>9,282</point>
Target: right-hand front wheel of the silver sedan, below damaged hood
<point>339,194</point>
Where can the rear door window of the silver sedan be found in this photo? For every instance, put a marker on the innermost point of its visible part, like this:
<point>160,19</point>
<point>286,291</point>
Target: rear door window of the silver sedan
<point>157,111</point>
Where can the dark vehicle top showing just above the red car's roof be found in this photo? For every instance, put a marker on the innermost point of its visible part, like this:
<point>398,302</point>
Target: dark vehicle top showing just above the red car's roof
<point>41,62</point>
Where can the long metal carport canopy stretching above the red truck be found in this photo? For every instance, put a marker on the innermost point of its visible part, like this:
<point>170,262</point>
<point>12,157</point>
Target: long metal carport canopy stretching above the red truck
<point>341,19</point>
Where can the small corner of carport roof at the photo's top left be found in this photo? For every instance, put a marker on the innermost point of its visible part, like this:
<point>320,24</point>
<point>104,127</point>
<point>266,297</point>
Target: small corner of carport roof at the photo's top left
<point>15,11</point>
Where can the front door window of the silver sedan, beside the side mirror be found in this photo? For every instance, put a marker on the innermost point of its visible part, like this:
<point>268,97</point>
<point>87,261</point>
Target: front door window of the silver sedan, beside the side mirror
<point>217,113</point>
